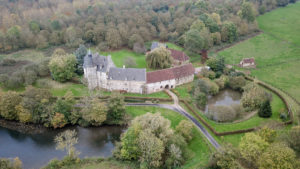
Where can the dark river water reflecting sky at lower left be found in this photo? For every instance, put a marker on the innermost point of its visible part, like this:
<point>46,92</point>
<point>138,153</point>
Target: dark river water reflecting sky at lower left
<point>36,150</point>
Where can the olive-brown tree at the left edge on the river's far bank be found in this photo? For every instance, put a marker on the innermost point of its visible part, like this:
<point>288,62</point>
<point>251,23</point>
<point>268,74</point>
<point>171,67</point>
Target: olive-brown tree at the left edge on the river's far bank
<point>8,102</point>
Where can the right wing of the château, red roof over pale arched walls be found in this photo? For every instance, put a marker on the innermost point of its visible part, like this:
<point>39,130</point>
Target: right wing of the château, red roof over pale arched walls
<point>169,78</point>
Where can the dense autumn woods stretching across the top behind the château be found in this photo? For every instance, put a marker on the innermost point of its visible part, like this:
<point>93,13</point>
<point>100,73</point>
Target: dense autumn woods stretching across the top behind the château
<point>114,24</point>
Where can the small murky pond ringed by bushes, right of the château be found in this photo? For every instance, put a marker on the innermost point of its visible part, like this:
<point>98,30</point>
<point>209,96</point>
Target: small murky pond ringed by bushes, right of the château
<point>225,97</point>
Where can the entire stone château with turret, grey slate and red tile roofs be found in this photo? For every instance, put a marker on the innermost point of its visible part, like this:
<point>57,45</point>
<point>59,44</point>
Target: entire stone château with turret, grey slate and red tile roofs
<point>101,72</point>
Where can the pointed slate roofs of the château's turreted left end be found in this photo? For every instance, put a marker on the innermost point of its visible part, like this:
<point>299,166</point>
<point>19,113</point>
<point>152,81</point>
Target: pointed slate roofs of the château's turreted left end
<point>102,62</point>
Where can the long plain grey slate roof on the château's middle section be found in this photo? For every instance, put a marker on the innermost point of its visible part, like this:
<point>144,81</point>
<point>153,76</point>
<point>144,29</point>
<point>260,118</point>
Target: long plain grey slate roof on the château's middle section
<point>129,74</point>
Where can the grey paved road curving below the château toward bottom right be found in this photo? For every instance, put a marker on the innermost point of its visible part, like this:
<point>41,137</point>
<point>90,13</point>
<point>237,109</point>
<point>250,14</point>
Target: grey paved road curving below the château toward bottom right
<point>180,110</point>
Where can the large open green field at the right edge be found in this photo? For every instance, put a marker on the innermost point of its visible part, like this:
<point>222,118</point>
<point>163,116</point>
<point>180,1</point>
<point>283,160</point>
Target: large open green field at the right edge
<point>276,51</point>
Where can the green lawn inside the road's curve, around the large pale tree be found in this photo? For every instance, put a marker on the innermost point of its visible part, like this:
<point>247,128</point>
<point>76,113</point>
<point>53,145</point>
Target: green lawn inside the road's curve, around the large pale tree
<point>198,147</point>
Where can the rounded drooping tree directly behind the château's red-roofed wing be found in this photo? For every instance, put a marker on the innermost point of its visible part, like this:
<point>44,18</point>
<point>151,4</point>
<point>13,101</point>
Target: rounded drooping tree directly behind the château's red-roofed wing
<point>159,58</point>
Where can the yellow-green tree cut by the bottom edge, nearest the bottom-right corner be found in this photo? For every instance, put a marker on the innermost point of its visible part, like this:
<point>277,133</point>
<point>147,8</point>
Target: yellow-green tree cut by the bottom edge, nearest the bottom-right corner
<point>278,156</point>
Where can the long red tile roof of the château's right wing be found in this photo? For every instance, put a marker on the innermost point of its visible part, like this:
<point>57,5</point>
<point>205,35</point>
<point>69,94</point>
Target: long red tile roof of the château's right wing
<point>171,73</point>
